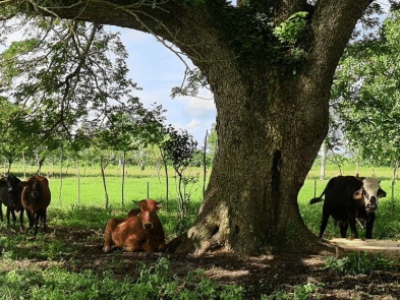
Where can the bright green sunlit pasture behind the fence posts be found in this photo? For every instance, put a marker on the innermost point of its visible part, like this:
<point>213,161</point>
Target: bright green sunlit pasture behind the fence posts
<point>88,211</point>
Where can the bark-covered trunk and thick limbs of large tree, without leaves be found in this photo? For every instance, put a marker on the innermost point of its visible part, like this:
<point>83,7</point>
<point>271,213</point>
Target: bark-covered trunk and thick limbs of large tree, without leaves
<point>271,121</point>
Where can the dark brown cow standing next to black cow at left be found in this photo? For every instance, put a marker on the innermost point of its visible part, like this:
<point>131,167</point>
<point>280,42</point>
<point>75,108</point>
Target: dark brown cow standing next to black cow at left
<point>36,198</point>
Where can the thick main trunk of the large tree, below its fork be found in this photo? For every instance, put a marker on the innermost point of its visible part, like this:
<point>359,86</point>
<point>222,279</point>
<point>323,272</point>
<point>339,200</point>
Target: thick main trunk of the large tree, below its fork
<point>266,149</point>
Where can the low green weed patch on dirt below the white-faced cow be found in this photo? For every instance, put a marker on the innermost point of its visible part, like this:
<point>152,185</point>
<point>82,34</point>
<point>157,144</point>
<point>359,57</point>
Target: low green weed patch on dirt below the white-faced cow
<point>358,263</point>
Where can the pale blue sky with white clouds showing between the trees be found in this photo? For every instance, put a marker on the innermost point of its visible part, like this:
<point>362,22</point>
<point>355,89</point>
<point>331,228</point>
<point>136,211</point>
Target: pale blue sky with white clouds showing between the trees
<point>157,70</point>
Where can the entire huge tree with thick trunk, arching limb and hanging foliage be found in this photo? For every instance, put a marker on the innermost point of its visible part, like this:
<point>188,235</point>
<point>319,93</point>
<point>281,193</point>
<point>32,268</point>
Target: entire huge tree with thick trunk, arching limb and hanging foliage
<point>270,65</point>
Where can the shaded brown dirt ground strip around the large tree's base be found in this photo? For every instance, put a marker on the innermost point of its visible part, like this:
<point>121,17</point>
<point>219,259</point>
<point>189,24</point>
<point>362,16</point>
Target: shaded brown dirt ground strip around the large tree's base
<point>258,275</point>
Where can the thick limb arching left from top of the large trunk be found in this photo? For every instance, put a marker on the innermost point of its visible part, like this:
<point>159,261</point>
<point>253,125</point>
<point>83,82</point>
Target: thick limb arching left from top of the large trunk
<point>173,21</point>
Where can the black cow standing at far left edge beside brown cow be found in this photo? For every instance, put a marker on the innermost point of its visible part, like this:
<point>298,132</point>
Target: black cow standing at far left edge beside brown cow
<point>10,196</point>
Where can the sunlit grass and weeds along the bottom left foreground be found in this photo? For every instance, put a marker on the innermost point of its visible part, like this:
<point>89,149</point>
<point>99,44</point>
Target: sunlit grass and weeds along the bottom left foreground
<point>152,282</point>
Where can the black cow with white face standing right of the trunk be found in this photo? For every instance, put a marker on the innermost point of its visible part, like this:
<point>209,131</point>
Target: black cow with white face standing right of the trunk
<point>349,199</point>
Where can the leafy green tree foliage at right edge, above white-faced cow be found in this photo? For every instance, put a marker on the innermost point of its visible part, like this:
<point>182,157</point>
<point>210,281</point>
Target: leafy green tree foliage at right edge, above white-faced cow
<point>366,98</point>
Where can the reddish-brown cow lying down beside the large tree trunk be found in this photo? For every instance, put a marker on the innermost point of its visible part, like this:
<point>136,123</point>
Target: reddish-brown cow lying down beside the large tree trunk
<point>141,230</point>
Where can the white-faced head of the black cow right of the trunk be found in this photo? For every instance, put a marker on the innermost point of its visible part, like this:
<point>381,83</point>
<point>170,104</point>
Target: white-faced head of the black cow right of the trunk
<point>370,192</point>
